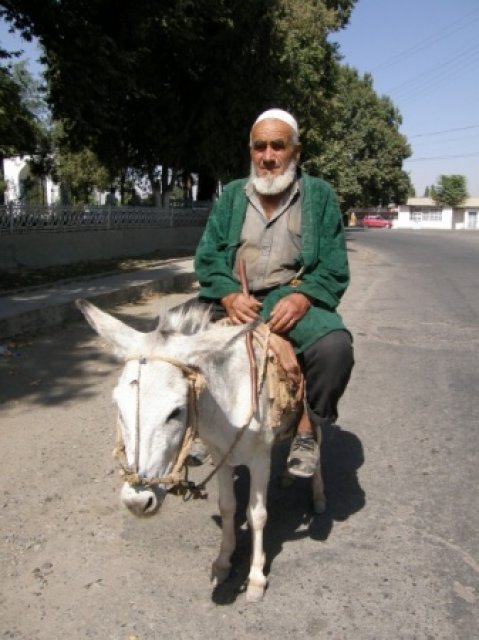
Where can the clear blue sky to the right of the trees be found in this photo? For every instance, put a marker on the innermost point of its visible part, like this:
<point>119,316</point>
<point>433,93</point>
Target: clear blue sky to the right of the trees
<point>424,55</point>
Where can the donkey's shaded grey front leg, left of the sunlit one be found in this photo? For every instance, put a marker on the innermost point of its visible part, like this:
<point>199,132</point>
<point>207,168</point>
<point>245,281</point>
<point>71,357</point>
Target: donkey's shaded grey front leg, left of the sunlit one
<point>227,504</point>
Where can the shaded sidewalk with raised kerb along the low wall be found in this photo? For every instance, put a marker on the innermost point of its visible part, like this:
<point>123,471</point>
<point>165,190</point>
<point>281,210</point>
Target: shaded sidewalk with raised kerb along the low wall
<point>28,310</point>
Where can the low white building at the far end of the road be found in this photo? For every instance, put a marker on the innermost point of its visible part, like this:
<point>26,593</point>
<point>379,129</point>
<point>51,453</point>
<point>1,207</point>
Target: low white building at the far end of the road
<point>424,213</point>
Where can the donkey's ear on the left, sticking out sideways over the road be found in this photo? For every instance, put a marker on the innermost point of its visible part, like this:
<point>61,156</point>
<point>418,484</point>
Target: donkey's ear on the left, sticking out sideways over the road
<point>124,339</point>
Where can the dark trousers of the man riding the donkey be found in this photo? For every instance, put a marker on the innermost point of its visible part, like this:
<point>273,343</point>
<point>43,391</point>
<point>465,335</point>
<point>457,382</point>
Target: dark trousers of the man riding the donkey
<point>326,366</point>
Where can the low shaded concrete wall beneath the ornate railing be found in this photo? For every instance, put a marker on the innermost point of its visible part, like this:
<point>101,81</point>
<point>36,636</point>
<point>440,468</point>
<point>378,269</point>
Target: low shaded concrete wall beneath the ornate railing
<point>45,249</point>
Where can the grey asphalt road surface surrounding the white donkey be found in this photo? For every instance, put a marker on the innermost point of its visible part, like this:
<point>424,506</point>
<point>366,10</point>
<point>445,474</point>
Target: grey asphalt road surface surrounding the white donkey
<point>395,556</point>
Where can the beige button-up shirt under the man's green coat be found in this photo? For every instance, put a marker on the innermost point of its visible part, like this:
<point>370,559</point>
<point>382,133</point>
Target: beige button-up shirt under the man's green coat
<point>271,248</point>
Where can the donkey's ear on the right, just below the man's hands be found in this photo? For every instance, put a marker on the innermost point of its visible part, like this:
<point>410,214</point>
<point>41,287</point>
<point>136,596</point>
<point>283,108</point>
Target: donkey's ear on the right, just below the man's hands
<point>214,343</point>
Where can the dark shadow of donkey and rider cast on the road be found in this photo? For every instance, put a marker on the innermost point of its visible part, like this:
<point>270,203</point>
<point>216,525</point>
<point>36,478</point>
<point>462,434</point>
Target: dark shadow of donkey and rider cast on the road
<point>290,515</point>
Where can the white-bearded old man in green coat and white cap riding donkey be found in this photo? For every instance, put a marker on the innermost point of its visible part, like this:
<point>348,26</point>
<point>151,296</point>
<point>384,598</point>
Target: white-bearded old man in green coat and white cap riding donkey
<point>286,228</point>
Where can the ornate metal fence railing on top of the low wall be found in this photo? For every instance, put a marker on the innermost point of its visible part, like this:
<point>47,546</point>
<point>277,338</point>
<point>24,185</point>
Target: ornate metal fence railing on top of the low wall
<point>16,218</point>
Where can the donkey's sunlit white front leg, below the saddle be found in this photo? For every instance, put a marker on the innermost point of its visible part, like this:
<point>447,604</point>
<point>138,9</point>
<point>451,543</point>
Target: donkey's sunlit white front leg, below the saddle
<point>257,515</point>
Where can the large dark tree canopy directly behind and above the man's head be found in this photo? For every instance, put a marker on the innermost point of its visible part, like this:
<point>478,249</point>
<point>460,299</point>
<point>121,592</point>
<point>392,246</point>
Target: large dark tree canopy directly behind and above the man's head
<point>166,82</point>
